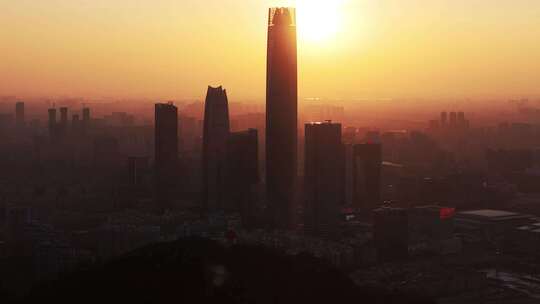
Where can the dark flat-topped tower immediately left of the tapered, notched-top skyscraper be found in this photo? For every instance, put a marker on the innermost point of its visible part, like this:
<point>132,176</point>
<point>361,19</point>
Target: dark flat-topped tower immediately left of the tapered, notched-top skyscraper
<point>166,152</point>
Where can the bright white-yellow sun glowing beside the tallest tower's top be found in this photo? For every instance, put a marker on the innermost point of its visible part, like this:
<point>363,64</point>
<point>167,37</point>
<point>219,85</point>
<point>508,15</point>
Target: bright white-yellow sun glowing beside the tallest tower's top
<point>319,20</point>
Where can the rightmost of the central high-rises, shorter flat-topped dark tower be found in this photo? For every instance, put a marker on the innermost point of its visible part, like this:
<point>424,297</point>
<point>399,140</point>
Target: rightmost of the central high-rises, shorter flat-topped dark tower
<point>367,166</point>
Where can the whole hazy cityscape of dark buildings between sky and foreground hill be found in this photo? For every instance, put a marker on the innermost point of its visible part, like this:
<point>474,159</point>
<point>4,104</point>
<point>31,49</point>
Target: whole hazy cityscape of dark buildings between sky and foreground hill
<point>353,196</point>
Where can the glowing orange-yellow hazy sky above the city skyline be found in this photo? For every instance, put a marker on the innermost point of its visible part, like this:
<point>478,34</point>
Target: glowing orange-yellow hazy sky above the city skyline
<point>174,49</point>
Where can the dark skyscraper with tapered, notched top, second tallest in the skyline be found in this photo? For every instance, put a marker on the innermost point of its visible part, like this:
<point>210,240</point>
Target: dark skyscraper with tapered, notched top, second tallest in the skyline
<point>215,133</point>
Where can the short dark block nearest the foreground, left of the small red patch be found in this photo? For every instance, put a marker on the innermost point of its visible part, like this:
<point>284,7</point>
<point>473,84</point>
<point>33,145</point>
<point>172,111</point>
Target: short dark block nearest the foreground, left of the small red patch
<point>390,232</point>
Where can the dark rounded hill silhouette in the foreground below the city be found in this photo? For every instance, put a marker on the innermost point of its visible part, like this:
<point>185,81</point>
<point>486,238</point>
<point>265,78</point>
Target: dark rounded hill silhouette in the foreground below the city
<point>202,271</point>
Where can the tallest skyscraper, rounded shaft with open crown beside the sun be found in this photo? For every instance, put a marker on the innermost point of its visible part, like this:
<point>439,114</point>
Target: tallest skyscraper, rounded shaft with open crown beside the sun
<point>281,116</point>
